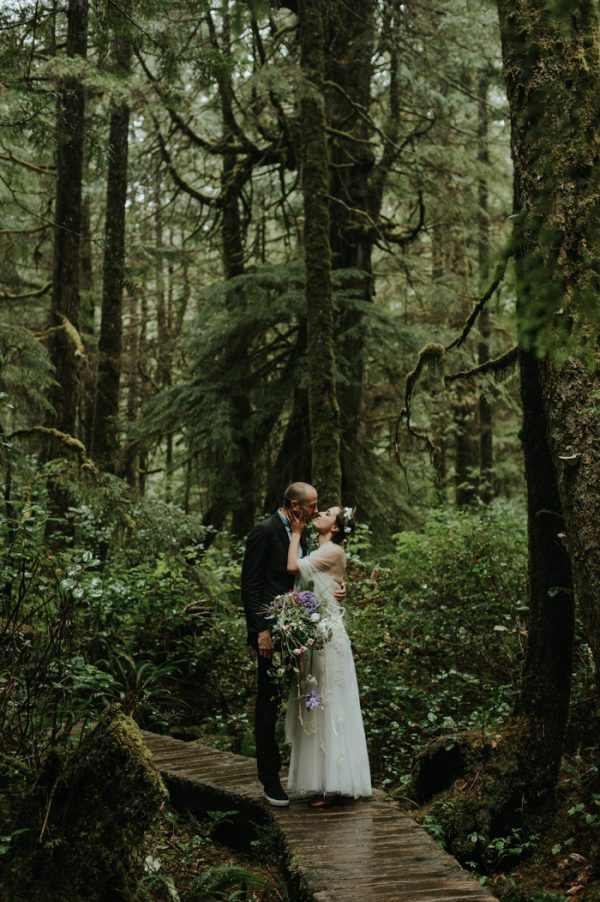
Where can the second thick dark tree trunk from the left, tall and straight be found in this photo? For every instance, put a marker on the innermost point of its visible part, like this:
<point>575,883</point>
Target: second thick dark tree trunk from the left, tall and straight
<point>105,439</point>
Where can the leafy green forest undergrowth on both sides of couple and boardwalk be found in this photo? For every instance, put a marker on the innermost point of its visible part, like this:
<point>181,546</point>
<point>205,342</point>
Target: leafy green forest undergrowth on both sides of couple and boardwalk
<point>121,601</point>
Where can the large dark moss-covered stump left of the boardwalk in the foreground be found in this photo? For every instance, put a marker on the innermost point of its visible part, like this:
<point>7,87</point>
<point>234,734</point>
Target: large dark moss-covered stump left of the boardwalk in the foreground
<point>87,819</point>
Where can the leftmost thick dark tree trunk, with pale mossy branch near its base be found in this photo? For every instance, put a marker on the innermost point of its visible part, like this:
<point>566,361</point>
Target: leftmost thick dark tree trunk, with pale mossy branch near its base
<point>65,349</point>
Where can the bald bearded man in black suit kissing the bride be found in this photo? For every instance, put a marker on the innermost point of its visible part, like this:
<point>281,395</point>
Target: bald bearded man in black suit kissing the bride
<point>264,575</point>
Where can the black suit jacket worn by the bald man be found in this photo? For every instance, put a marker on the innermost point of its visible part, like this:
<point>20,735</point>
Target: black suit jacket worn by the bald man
<point>264,571</point>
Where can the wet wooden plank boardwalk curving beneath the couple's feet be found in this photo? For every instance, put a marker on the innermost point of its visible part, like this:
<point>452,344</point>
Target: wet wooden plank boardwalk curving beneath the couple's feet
<point>360,851</point>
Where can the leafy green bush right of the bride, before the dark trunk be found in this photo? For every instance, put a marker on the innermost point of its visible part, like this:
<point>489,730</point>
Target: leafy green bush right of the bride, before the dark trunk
<point>438,631</point>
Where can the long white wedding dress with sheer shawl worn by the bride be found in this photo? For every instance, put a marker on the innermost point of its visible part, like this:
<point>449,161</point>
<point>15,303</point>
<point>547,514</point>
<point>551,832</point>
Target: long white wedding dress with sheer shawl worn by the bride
<point>329,750</point>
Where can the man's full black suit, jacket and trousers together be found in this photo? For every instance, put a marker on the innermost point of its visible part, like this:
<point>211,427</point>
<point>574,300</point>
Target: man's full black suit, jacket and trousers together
<point>264,575</point>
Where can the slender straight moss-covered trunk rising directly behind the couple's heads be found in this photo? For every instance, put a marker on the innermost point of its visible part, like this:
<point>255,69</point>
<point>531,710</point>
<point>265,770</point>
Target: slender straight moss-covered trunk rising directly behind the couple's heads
<point>324,411</point>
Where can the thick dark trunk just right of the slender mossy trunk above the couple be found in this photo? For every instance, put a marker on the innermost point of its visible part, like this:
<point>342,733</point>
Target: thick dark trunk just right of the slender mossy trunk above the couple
<point>348,70</point>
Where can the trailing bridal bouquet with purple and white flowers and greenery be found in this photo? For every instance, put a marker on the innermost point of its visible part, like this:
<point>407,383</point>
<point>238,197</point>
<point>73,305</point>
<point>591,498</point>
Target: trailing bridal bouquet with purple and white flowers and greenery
<point>300,630</point>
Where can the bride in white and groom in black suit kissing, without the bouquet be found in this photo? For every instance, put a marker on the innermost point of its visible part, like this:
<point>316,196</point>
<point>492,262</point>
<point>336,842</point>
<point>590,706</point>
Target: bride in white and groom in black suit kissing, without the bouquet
<point>328,748</point>
